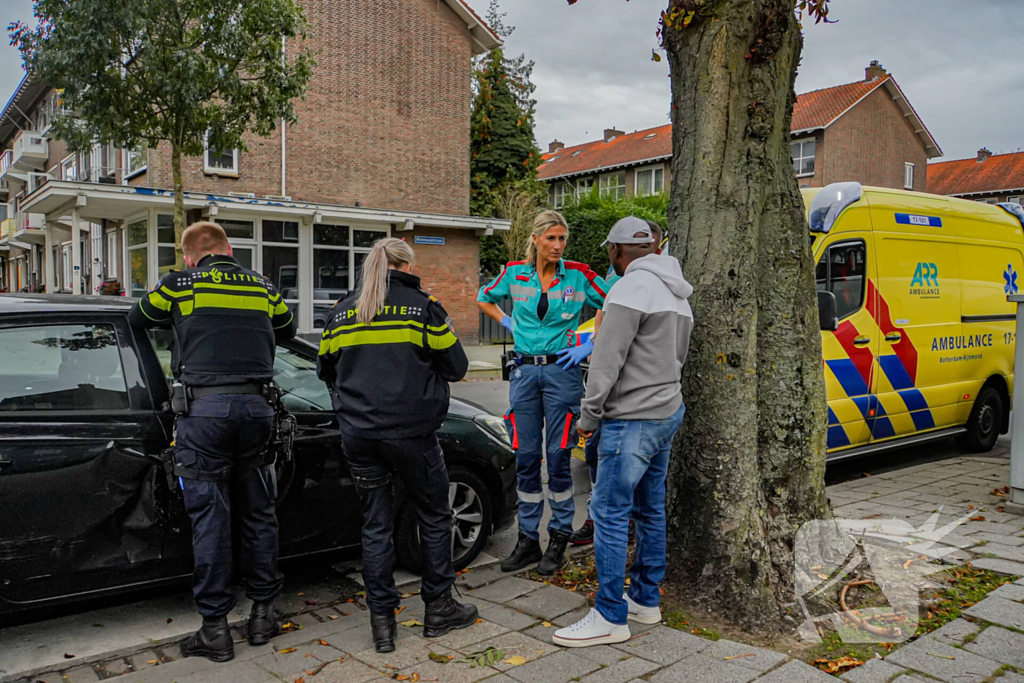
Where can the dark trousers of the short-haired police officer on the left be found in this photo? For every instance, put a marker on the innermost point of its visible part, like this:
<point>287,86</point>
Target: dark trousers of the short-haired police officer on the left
<point>220,433</point>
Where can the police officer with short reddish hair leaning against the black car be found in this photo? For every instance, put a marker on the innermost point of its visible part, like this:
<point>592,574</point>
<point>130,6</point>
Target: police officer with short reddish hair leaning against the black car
<point>227,324</point>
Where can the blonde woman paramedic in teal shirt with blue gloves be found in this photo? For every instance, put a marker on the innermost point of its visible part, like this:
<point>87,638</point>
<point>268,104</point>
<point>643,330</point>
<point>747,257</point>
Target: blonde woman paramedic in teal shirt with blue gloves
<point>548,295</point>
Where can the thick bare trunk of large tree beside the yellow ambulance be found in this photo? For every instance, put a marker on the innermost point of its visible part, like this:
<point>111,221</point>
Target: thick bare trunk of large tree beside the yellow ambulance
<point>749,467</point>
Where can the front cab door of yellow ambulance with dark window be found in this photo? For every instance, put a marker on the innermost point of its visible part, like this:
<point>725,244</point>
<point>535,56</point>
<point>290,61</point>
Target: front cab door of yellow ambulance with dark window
<point>847,270</point>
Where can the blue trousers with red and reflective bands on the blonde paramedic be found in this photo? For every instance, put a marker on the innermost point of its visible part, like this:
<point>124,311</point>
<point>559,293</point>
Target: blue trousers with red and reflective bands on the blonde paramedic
<point>545,403</point>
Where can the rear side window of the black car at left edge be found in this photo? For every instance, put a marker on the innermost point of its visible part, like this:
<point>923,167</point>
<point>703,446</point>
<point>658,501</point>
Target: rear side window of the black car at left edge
<point>62,368</point>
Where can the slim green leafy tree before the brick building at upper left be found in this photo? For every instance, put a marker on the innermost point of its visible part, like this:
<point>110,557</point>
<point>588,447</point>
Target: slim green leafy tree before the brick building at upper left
<point>145,72</point>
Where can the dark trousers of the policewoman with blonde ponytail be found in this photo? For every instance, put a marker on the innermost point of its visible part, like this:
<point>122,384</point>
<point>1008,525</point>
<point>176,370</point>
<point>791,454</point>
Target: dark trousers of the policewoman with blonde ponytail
<point>420,464</point>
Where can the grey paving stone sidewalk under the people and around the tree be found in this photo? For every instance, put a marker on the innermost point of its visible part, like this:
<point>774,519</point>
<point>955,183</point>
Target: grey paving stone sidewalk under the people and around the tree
<point>519,617</point>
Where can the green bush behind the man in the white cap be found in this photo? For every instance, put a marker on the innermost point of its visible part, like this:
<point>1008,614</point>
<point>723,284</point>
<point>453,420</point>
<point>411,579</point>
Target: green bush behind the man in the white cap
<point>591,217</point>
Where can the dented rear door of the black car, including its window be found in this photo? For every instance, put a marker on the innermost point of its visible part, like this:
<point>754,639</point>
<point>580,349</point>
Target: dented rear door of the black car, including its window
<point>76,486</point>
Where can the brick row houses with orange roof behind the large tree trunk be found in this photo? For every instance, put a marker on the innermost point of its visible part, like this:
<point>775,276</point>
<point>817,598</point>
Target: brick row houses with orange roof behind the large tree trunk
<point>866,132</point>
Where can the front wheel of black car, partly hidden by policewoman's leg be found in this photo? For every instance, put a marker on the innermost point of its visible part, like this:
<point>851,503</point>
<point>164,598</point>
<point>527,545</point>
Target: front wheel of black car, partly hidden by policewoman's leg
<point>472,526</point>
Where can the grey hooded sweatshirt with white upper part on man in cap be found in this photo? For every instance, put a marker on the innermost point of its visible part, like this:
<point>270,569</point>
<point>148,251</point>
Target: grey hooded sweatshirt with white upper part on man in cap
<point>639,354</point>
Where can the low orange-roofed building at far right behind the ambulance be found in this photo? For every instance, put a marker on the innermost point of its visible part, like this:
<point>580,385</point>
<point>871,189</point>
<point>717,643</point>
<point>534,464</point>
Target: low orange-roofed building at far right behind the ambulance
<point>988,178</point>
